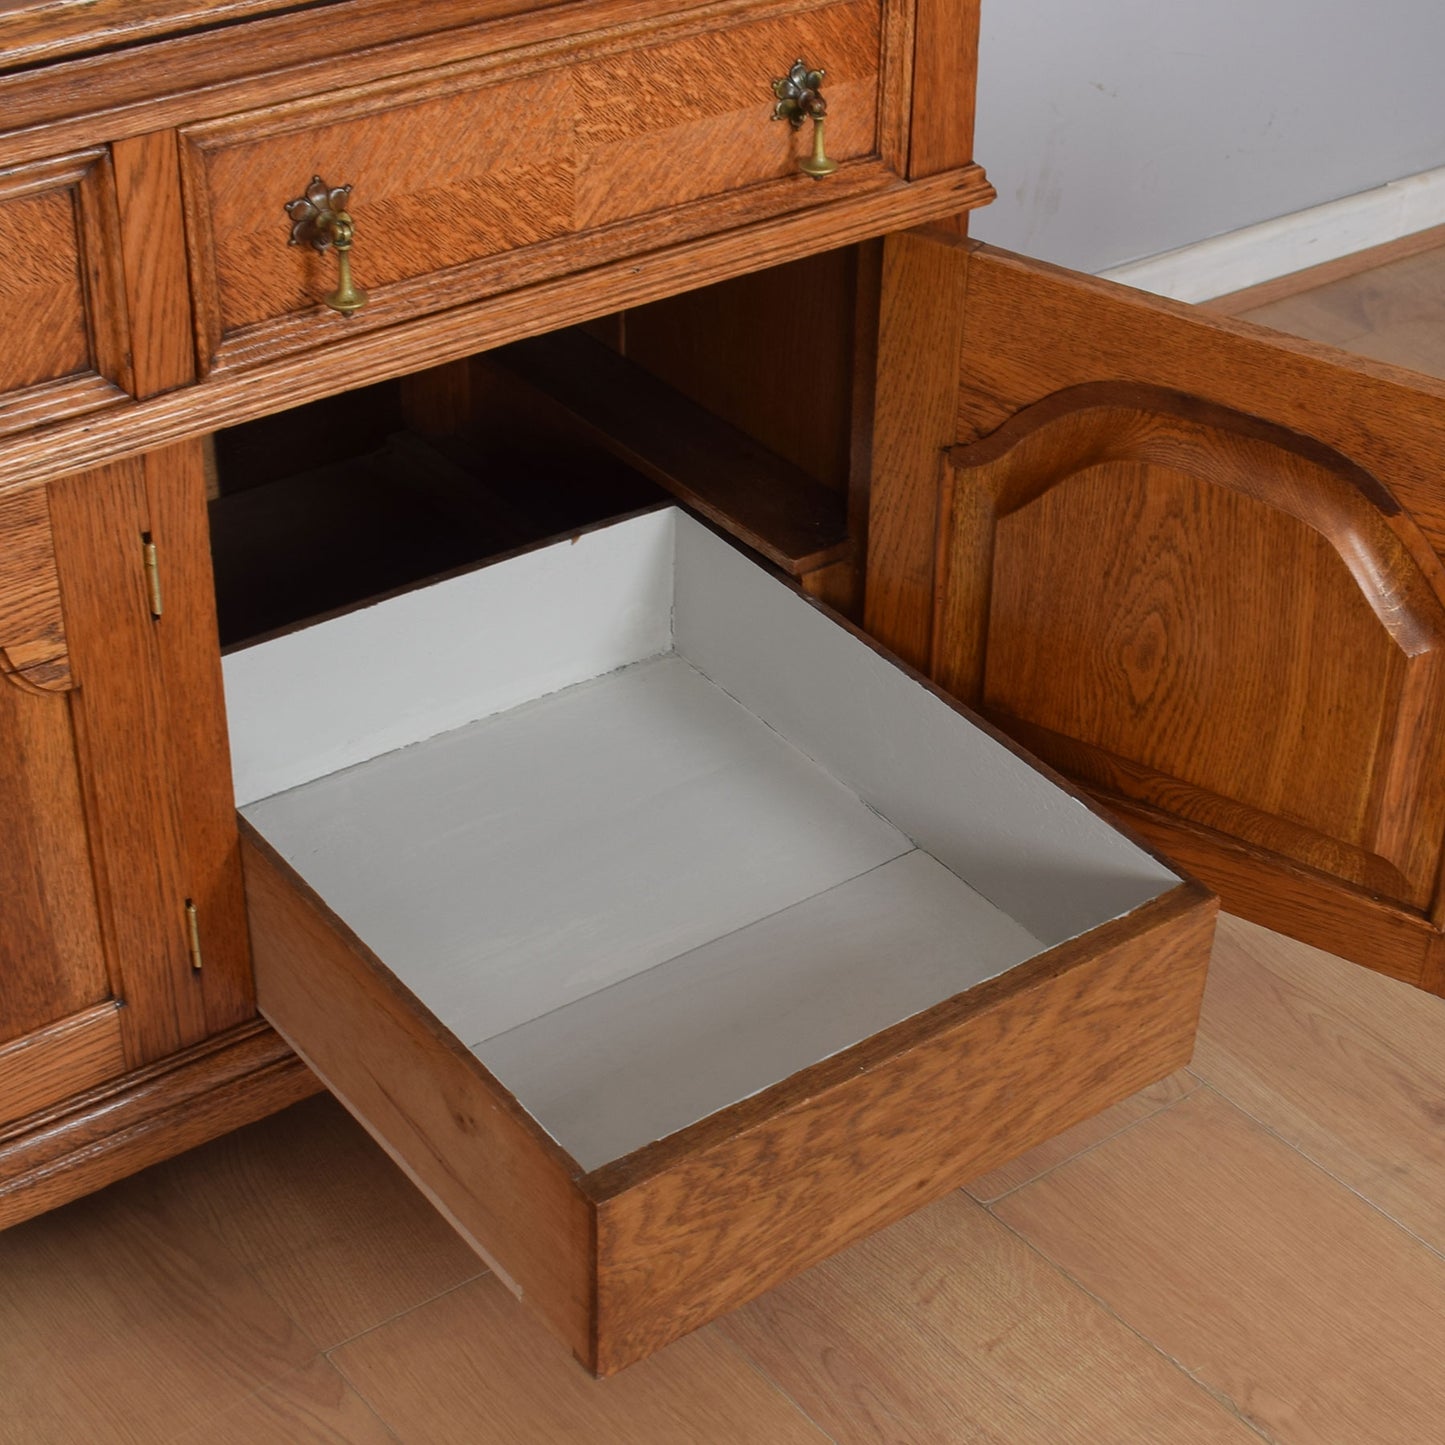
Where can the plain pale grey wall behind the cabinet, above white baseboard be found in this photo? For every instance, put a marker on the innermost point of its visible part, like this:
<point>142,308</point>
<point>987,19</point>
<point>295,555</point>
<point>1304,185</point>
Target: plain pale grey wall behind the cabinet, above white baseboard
<point>1116,129</point>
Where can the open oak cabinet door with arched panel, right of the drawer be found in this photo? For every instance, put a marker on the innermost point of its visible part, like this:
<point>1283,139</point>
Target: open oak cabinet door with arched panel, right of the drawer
<point>1190,563</point>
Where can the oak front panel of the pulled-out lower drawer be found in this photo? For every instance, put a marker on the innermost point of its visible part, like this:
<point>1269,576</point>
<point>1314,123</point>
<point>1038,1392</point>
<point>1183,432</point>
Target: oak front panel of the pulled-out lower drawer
<point>699,1225</point>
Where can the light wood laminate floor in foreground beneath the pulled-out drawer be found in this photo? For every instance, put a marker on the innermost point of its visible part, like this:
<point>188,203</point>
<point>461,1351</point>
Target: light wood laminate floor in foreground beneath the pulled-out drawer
<point>1254,1249</point>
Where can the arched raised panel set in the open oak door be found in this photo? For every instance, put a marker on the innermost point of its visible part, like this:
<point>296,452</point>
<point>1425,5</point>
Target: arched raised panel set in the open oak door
<point>1193,613</point>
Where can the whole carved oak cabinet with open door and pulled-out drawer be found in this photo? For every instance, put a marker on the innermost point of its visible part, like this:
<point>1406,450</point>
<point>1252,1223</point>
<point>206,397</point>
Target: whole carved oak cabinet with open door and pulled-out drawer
<point>1191,566</point>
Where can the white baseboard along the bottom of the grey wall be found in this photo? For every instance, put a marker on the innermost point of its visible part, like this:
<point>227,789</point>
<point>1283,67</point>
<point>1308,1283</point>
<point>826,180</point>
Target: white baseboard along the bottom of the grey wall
<point>1291,243</point>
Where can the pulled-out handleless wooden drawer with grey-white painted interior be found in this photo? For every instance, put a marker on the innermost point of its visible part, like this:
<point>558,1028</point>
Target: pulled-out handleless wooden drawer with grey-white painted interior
<point>673,937</point>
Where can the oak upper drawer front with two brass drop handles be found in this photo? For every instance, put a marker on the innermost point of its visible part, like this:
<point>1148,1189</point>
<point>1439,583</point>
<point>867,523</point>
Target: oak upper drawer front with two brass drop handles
<point>524,165</point>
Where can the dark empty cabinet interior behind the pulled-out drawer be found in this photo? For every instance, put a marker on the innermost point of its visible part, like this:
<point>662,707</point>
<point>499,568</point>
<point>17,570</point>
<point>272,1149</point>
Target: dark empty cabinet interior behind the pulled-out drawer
<point>739,400</point>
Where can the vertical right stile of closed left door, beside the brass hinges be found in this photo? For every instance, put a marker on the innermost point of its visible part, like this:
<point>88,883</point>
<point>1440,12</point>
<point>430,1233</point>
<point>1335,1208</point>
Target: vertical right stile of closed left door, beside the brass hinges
<point>121,713</point>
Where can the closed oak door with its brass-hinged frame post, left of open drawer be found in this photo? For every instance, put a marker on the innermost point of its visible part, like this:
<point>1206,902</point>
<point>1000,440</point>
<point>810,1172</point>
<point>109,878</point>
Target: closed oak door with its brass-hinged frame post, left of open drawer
<point>113,787</point>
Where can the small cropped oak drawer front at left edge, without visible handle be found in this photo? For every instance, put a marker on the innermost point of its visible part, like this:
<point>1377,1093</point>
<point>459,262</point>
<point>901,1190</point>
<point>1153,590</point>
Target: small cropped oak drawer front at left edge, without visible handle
<point>61,298</point>
